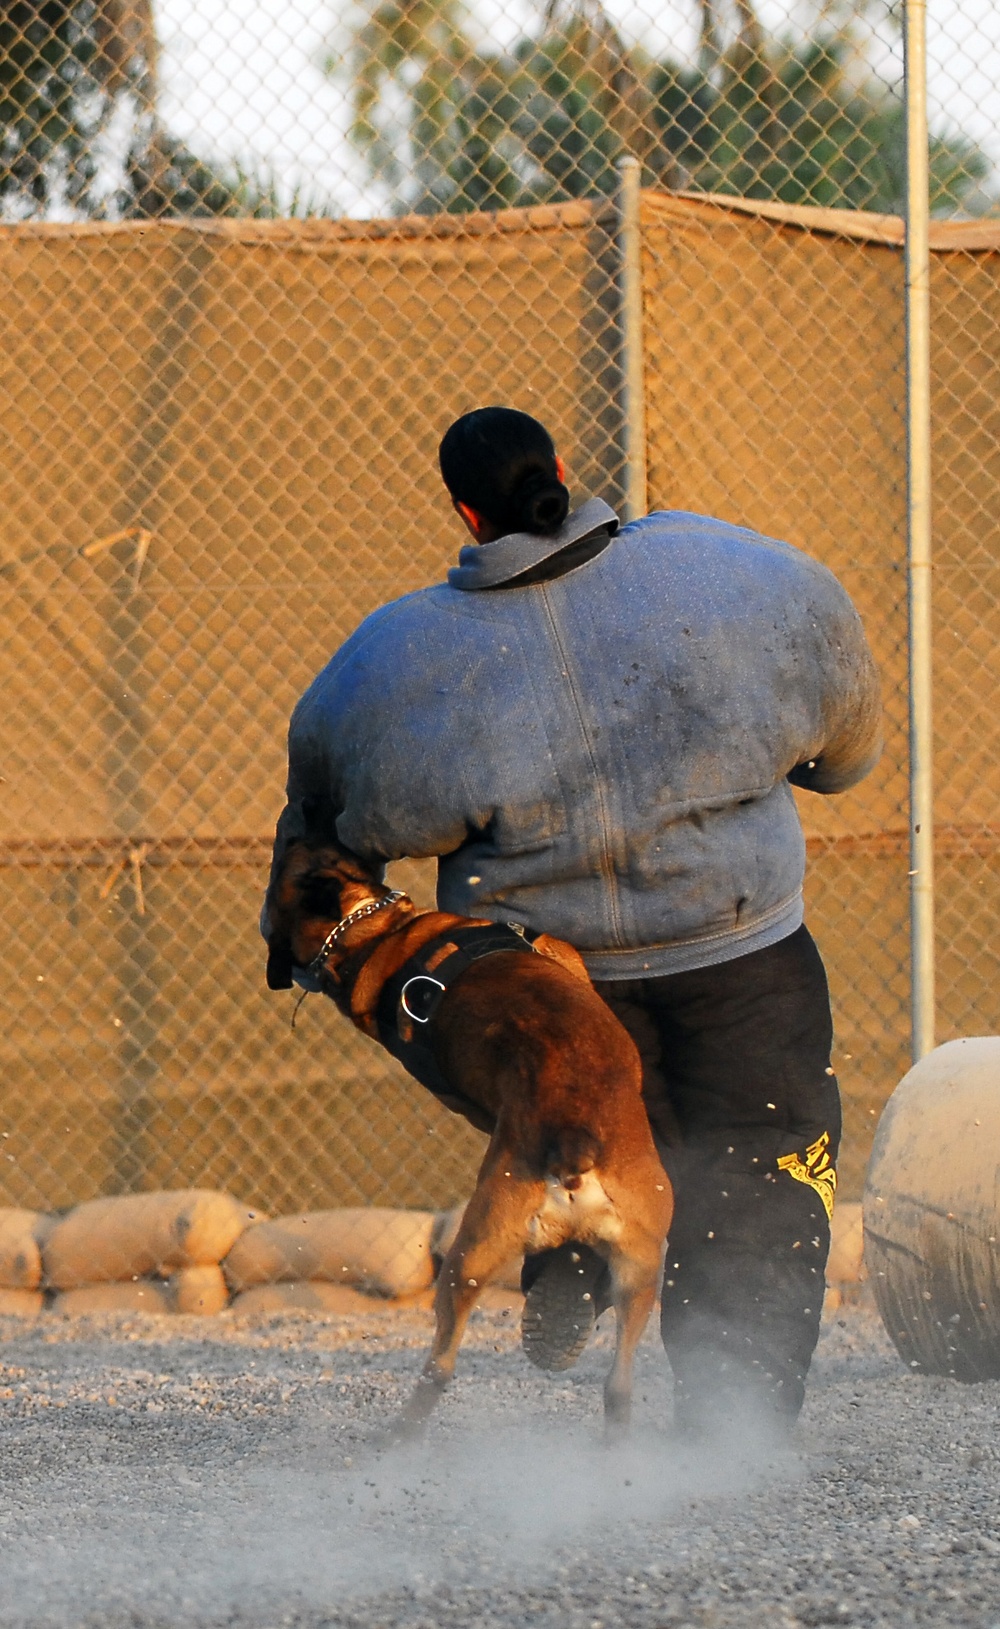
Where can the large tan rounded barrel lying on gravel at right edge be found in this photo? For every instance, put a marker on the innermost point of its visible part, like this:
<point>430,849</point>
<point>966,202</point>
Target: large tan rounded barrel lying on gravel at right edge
<point>932,1213</point>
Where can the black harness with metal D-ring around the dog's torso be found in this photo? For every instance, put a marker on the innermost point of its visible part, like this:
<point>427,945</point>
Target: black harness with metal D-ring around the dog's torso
<point>413,996</point>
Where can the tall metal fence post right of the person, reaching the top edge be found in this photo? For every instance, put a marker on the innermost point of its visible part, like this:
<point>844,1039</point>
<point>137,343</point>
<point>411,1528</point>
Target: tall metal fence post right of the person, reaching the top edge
<point>919,532</point>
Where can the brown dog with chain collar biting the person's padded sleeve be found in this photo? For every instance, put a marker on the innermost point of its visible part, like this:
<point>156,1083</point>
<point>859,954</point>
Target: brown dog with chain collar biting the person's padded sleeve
<point>529,1043</point>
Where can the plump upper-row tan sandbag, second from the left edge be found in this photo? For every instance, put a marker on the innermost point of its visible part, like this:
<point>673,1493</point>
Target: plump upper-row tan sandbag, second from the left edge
<point>139,1236</point>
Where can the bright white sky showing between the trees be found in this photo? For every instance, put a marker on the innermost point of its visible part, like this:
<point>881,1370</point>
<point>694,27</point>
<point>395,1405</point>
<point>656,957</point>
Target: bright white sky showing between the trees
<point>243,79</point>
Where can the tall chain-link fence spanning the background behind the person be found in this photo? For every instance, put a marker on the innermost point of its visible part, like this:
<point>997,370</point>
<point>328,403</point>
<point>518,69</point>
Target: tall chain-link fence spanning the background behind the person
<point>255,261</point>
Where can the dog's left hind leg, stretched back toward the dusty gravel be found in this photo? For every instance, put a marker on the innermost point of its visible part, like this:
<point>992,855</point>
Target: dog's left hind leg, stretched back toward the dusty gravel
<point>494,1229</point>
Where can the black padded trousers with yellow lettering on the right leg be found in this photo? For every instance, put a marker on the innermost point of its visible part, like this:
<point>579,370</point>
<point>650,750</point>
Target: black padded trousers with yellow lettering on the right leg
<point>747,1115</point>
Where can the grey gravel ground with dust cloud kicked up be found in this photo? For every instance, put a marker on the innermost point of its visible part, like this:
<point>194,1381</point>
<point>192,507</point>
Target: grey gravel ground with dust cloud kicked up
<point>221,1473</point>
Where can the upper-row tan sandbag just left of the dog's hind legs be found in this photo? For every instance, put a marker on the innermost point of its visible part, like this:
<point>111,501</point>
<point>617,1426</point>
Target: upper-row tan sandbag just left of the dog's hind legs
<point>382,1252</point>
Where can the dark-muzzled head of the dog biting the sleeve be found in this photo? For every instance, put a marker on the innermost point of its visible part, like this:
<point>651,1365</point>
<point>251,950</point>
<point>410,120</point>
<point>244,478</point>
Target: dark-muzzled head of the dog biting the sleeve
<point>317,885</point>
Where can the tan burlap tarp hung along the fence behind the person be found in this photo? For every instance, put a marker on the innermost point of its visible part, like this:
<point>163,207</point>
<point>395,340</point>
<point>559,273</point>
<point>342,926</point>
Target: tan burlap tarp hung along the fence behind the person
<point>265,400</point>
